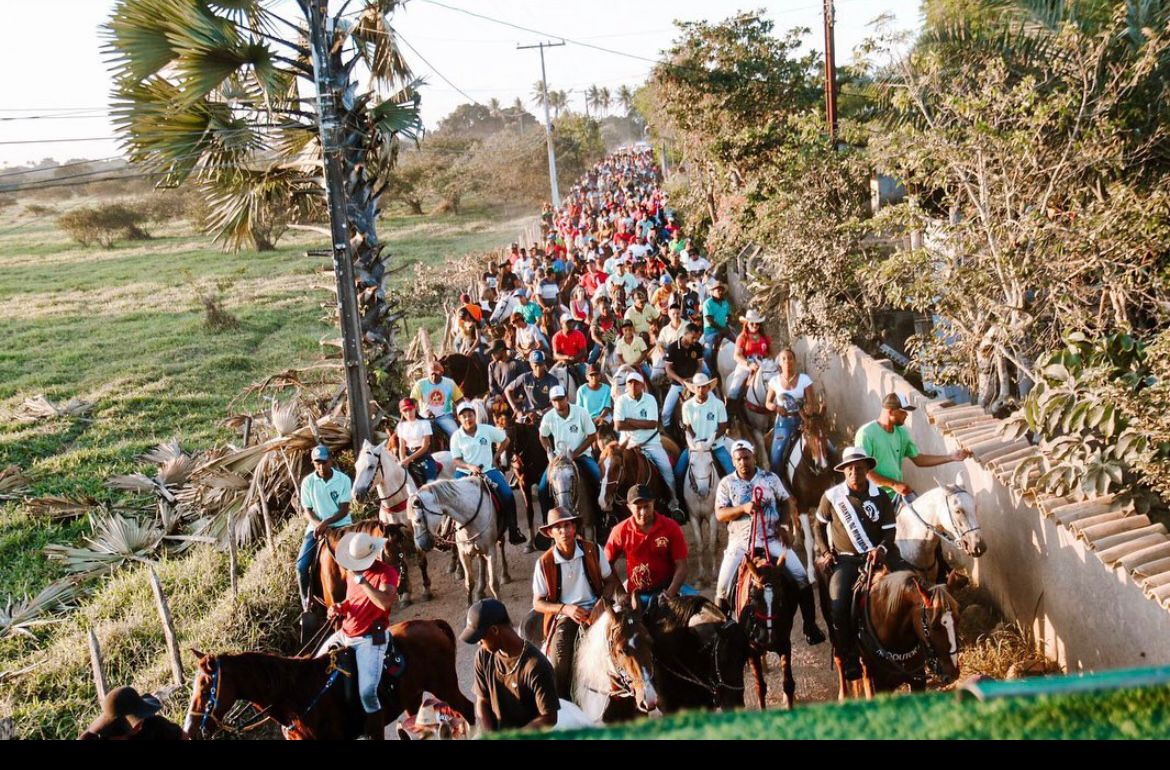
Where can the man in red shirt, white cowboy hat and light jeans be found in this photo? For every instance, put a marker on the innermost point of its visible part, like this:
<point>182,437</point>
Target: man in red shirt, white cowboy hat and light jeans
<point>371,590</point>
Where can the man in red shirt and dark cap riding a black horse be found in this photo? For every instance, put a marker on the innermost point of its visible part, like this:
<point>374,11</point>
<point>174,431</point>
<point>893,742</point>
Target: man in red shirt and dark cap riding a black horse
<point>655,547</point>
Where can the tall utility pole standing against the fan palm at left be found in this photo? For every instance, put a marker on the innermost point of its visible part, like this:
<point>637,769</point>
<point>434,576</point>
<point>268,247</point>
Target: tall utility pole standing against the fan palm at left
<point>326,72</point>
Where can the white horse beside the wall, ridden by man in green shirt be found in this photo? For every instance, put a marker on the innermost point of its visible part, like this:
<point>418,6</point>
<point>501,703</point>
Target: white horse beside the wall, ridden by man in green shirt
<point>945,514</point>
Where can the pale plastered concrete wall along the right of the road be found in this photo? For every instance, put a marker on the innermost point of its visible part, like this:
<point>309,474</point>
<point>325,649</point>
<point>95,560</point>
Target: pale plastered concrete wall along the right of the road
<point>1086,615</point>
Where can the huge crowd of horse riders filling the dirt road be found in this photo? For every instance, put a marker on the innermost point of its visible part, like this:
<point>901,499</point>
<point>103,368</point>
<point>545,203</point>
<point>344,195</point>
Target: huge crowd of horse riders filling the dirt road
<point>581,340</point>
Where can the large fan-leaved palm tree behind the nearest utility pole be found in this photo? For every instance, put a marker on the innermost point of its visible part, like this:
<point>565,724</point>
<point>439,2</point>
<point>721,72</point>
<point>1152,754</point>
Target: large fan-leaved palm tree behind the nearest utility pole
<point>222,97</point>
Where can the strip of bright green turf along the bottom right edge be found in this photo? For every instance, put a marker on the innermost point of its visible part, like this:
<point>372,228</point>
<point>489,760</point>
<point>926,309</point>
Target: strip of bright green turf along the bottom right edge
<point>1118,714</point>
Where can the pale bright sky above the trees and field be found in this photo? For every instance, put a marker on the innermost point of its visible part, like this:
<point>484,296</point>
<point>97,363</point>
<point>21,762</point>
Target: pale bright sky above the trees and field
<point>65,98</point>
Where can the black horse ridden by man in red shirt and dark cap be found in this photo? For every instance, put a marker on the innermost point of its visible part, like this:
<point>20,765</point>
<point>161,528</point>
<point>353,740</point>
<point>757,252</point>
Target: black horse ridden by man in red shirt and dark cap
<point>700,655</point>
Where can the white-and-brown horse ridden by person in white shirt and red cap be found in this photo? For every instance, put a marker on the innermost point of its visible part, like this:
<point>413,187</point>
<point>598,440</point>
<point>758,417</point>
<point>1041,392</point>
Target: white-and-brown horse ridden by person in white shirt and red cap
<point>395,485</point>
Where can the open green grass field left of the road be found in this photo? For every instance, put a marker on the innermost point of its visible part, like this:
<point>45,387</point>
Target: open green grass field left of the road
<point>122,328</point>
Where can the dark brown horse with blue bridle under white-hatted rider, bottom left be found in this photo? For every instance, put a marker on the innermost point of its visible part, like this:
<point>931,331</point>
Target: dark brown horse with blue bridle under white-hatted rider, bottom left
<point>313,698</point>
